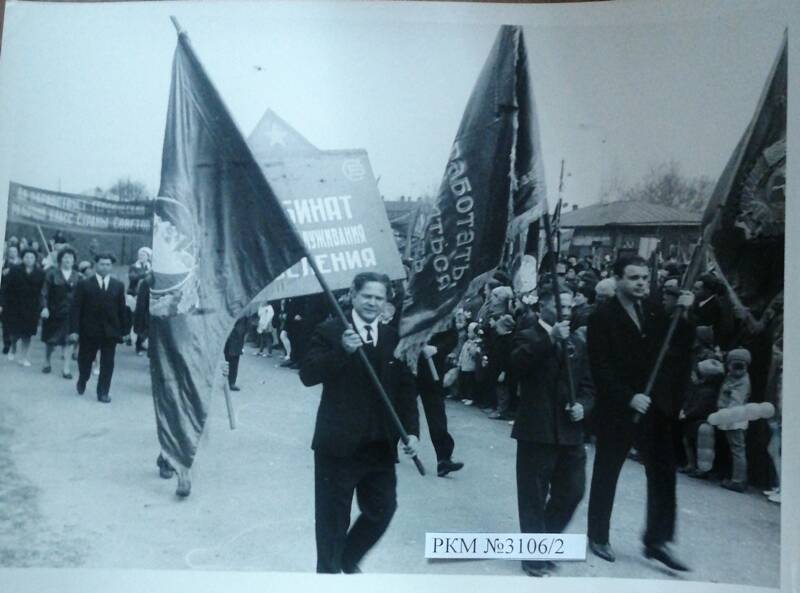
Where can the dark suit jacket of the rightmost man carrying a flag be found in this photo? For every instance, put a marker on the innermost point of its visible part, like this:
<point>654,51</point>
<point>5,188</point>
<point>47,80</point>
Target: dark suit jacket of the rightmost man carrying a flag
<point>621,359</point>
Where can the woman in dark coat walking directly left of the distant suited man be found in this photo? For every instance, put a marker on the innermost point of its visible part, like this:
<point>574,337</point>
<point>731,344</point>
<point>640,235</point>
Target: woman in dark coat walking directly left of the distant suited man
<point>57,296</point>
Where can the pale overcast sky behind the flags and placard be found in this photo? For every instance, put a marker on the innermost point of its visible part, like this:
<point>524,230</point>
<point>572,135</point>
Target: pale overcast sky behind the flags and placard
<point>84,89</point>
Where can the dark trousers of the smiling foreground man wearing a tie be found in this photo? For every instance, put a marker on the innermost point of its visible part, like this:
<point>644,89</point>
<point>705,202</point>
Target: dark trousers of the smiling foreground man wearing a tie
<point>339,546</point>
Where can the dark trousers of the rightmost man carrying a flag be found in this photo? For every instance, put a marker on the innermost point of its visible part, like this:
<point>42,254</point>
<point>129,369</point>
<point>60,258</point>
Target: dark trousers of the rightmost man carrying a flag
<point>653,436</point>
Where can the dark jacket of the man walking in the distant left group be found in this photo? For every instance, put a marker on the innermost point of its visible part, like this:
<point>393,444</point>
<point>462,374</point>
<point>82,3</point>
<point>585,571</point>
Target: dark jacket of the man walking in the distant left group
<point>98,313</point>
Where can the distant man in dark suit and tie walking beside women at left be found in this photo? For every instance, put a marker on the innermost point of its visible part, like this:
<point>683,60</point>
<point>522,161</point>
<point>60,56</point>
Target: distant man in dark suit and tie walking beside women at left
<point>97,321</point>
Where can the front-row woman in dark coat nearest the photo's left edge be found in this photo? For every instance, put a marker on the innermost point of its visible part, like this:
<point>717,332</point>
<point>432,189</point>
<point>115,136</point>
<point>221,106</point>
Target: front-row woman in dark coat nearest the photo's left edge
<point>22,295</point>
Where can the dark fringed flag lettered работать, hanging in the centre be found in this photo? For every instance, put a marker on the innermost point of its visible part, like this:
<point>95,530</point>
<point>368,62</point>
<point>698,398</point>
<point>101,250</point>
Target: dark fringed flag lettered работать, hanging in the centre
<point>492,190</point>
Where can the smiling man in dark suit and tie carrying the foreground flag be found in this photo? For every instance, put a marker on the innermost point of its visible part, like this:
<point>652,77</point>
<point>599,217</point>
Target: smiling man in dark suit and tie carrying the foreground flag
<point>355,446</point>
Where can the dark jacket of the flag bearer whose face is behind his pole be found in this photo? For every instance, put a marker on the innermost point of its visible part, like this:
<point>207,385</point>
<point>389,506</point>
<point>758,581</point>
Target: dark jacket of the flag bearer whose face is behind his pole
<point>539,365</point>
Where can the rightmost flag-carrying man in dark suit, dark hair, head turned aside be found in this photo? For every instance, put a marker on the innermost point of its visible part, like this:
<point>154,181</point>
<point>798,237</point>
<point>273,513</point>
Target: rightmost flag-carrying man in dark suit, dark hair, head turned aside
<point>624,337</point>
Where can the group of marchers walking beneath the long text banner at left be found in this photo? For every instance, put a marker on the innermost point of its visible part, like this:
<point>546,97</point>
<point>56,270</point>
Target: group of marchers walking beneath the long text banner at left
<point>81,308</point>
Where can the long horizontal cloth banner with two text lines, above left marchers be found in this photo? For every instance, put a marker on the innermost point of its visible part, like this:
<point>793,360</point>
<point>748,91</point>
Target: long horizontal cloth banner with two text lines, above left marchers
<point>76,213</point>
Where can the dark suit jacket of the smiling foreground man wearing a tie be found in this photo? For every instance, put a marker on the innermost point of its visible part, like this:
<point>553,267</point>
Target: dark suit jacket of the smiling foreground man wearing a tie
<point>348,400</point>
